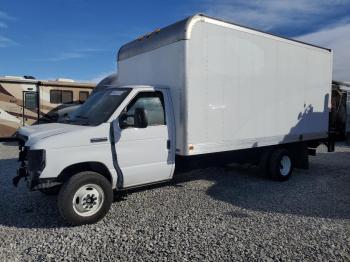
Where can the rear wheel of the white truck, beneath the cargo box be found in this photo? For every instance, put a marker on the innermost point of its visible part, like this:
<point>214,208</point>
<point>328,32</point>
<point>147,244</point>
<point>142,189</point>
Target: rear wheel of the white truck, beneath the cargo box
<point>279,171</point>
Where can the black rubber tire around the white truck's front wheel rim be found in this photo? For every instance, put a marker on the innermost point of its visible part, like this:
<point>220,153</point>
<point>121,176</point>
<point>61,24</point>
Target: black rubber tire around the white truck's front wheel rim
<point>68,210</point>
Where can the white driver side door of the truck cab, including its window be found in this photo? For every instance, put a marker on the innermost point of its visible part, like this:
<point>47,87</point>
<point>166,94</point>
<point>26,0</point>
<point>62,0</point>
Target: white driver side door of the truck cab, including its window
<point>144,154</point>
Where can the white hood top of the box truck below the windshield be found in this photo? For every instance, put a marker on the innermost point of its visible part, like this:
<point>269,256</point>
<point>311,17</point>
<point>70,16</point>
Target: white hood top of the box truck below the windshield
<point>38,132</point>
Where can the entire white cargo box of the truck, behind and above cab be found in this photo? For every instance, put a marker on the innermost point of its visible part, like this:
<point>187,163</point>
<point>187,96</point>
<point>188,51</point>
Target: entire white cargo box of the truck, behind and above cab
<point>233,87</point>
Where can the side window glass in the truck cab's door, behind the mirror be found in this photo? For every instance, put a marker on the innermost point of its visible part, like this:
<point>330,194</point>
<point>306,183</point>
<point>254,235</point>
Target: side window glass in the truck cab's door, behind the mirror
<point>153,103</point>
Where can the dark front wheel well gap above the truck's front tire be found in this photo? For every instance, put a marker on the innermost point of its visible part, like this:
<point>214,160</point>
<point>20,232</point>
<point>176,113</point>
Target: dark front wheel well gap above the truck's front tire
<point>85,166</point>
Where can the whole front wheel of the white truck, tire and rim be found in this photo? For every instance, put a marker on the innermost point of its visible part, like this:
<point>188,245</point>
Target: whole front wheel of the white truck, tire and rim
<point>85,198</point>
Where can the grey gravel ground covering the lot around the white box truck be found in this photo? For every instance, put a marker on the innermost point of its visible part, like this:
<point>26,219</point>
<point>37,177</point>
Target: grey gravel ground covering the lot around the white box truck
<point>214,214</point>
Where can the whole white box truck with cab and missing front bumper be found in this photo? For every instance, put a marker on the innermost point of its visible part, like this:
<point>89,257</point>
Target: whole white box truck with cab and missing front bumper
<point>199,92</point>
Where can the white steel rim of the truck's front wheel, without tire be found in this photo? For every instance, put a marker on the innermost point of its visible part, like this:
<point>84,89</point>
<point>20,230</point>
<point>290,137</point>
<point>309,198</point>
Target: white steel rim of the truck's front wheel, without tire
<point>88,200</point>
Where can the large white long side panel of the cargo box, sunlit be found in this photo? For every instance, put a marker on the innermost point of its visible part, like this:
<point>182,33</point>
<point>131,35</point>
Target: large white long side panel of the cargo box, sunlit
<point>247,90</point>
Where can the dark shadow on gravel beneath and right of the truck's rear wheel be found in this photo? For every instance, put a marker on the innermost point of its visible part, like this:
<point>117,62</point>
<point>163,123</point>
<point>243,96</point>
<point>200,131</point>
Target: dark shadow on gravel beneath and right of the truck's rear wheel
<point>322,191</point>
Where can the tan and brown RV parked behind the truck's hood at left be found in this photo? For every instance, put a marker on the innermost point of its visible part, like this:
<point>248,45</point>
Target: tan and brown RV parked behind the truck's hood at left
<point>27,101</point>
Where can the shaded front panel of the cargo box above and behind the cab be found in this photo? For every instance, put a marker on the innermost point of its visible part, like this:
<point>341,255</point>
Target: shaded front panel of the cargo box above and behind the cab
<point>163,66</point>
